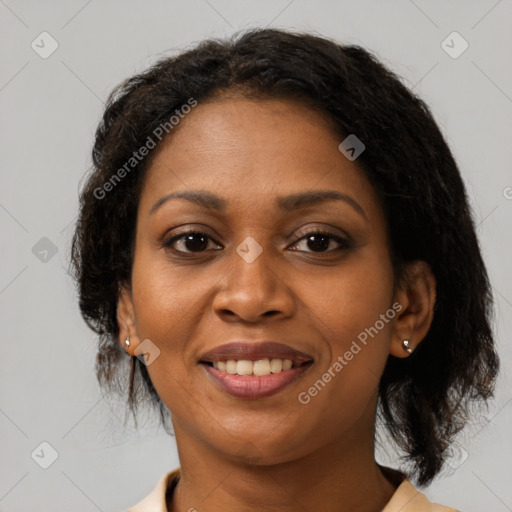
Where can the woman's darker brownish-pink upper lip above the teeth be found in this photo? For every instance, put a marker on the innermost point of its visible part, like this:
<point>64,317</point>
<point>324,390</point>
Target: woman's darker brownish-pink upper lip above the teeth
<point>246,350</point>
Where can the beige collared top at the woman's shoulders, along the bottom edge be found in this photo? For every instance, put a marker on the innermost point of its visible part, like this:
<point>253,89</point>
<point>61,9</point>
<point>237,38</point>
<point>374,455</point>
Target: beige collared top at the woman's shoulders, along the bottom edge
<point>406,498</point>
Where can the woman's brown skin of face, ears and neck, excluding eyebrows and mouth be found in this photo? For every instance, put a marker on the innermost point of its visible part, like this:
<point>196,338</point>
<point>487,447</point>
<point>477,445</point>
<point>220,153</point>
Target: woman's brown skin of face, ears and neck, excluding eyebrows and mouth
<point>274,453</point>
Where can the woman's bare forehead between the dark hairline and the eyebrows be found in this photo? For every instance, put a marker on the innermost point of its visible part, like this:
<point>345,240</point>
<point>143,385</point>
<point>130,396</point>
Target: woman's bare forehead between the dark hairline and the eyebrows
<point>250,151</point>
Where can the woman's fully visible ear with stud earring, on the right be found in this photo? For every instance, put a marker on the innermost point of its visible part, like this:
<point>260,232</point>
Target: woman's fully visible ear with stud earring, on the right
<point>417,296</point>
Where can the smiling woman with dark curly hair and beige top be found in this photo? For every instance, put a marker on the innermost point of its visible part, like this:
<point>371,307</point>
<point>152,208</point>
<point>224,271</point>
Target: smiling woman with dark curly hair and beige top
<point>276,238</point>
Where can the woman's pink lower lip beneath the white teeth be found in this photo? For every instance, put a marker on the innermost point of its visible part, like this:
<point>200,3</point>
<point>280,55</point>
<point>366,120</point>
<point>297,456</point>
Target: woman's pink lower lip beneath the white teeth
<point>252,387</point>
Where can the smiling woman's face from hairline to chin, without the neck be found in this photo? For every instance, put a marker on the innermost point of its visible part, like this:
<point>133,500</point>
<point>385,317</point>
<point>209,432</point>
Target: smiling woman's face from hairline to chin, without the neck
<point>251,266</point>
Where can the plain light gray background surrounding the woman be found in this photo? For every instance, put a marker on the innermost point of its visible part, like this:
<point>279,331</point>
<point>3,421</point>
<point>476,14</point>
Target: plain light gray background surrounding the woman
<point>49,111</point>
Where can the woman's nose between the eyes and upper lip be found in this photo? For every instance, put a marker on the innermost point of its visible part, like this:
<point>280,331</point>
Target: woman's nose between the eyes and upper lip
<point>254,290</point>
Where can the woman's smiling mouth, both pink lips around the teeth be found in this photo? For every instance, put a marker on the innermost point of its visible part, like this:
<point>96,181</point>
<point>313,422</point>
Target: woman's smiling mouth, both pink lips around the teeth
<point>216,363</point>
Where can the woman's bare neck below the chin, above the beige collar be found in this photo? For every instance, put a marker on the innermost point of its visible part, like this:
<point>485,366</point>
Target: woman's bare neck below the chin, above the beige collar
<point>342,476</point>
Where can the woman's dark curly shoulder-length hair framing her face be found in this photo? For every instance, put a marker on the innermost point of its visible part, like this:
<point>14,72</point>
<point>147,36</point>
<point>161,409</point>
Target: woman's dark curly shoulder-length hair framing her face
<point>424,399</point>
